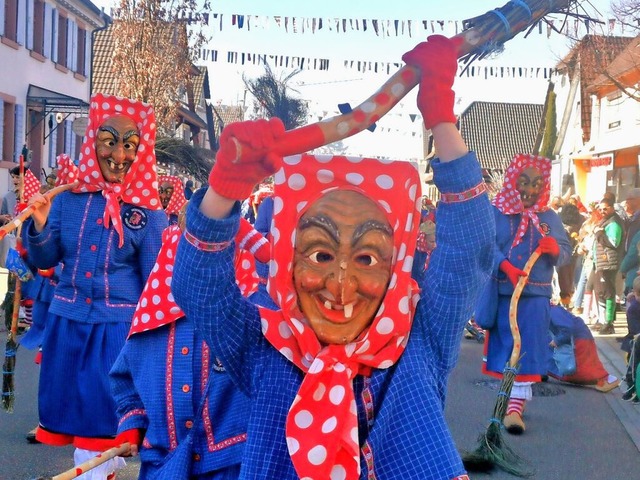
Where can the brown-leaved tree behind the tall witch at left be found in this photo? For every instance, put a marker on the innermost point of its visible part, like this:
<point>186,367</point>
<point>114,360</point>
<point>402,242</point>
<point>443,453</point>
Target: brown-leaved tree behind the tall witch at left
<point>155,44</point>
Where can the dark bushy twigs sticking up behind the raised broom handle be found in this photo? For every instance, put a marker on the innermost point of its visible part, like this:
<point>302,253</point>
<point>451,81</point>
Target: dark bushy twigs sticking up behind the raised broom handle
<point>272,95</point>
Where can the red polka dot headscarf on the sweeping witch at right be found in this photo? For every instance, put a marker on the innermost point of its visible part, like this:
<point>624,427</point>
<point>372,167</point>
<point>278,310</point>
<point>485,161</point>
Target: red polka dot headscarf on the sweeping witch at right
<point>508,200</point>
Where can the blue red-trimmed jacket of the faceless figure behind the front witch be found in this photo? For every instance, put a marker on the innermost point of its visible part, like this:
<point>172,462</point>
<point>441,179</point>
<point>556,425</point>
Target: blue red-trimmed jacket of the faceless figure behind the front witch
<point>157,382</point>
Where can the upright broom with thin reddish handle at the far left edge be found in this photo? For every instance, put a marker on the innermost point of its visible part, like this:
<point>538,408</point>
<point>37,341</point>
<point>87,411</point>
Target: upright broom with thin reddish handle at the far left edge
<point>11,347</point>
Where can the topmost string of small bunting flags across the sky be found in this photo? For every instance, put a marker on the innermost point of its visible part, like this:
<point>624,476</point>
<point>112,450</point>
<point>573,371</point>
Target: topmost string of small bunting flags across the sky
<point>576,27</point>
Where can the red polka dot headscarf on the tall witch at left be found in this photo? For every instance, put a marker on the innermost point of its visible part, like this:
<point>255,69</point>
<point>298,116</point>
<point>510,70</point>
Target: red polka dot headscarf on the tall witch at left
<point>140,186</point>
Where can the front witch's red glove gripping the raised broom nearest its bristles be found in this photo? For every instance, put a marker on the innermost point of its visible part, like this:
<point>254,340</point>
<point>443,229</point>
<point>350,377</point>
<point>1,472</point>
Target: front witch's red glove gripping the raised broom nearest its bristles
<point>437,59</point>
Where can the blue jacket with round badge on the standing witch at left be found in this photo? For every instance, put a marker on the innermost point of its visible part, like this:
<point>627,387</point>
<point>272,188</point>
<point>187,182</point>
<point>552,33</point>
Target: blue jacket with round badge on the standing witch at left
<point>100,282</point>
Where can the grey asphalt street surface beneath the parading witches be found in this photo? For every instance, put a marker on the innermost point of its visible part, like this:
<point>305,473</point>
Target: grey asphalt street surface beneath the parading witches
<point>572,432</point>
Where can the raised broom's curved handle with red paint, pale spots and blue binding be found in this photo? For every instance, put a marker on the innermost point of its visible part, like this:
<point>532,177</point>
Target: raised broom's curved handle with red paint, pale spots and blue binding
<point>494,27</point>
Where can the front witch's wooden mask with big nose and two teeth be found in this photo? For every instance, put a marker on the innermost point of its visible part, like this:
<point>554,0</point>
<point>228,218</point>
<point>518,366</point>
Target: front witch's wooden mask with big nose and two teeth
<point>342,264</point>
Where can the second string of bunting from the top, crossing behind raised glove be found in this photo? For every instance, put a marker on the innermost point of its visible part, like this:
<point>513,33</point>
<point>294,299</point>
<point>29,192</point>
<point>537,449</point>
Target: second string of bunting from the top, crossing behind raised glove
<point>364,66</point>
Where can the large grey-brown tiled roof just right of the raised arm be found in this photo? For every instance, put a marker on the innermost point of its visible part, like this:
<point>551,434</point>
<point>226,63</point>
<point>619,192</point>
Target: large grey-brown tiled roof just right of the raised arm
<point>497,131</point>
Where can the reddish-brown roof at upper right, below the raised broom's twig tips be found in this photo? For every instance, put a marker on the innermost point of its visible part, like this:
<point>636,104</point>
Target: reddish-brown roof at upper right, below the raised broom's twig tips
<point>592,54</point>
